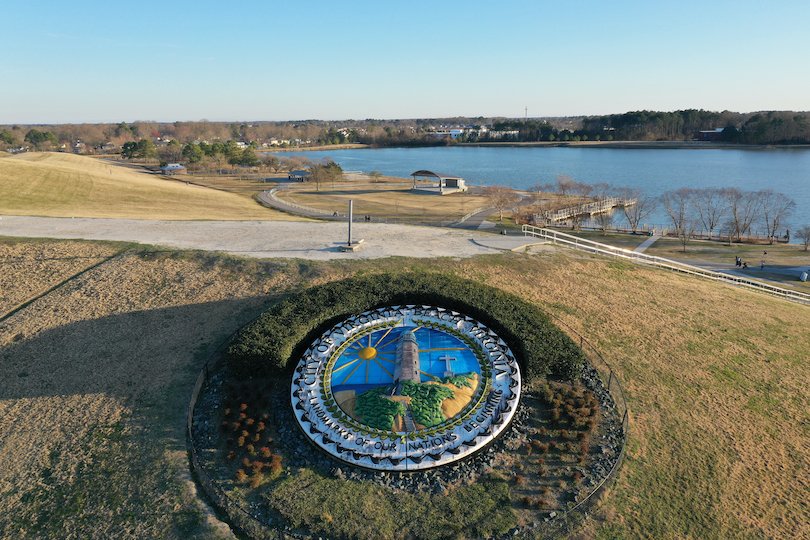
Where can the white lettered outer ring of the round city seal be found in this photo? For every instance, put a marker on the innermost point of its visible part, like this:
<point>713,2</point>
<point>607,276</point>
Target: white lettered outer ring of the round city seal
<point>476,426</point>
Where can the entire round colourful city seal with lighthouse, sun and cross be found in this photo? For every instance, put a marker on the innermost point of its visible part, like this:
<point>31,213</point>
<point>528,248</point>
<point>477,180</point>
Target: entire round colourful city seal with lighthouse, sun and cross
<point>405,388</point>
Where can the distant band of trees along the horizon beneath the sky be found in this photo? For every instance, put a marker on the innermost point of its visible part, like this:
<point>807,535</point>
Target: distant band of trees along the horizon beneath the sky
<point>769,127</point>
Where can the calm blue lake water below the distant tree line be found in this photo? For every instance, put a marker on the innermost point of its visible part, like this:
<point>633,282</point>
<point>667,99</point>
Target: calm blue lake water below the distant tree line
<point>656,171</point>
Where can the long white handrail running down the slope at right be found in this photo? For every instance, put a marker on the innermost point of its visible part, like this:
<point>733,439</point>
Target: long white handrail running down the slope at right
<point>660,262</point>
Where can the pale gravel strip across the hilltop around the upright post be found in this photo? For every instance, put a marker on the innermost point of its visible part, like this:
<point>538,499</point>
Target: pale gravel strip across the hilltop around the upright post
<point>315,241</point>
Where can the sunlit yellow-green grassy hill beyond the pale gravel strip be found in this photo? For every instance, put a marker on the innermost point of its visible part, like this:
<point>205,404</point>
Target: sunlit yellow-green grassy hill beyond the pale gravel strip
<point>66,185</point>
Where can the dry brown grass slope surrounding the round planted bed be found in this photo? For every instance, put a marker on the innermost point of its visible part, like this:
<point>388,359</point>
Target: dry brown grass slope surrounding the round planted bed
<point>97,374</point>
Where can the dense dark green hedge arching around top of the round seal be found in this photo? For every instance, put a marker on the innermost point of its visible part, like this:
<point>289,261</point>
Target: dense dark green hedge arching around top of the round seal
<point>264,348</point>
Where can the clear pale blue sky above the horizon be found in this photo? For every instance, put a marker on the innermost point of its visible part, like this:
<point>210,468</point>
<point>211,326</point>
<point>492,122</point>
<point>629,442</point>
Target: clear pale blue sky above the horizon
<point>165,61</point>
